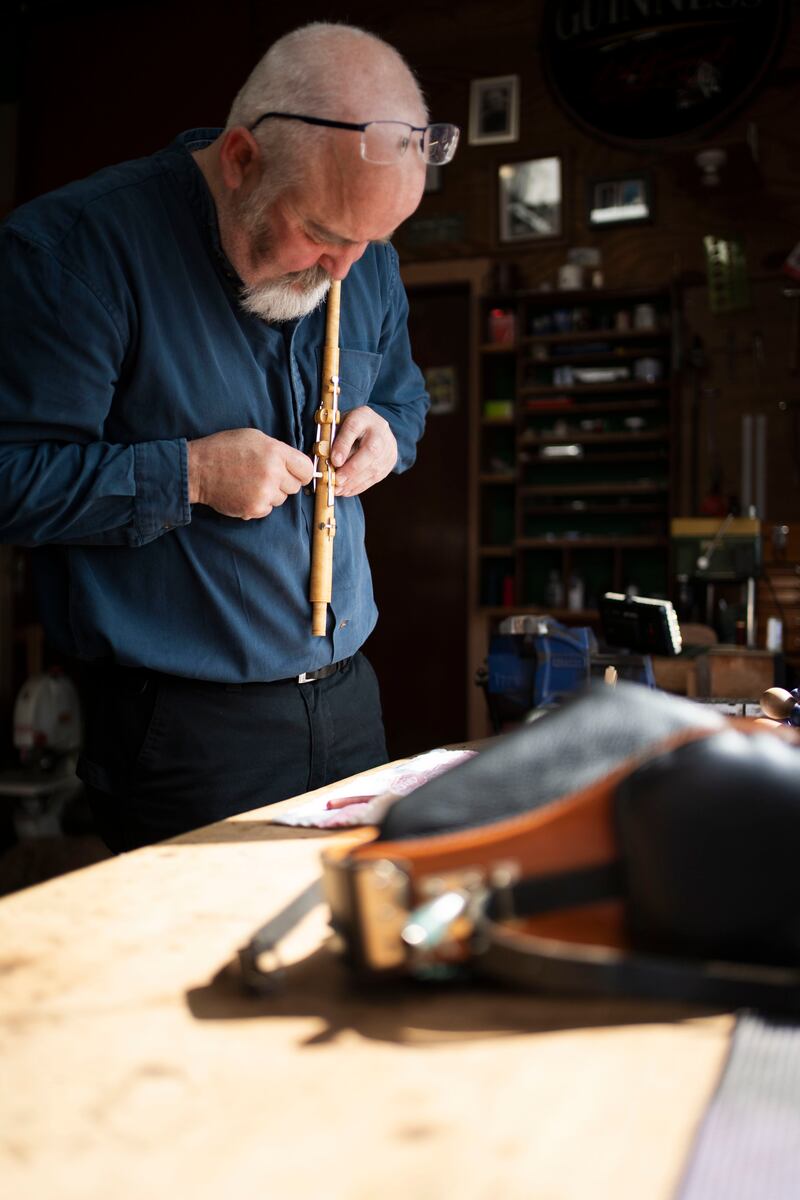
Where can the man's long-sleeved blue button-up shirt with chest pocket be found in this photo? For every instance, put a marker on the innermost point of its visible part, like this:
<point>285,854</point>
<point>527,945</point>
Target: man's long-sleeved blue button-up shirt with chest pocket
<point>121,339</point>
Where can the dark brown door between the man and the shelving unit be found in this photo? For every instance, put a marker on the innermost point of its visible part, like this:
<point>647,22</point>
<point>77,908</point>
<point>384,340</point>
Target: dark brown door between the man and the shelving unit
<point>418,544</point>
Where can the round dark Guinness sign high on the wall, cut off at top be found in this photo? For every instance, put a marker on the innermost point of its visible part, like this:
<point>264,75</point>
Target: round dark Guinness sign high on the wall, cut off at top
<point>641,73</point>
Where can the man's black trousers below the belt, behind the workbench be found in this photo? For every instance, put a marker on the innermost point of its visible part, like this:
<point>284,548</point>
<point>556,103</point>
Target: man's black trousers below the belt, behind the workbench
<point>164,755</point>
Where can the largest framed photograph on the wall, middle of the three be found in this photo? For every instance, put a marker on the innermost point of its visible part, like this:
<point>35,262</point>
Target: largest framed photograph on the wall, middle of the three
<point>531,200</point>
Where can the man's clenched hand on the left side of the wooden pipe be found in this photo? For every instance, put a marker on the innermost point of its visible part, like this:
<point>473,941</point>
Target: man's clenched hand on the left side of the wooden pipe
<point>244,473</point>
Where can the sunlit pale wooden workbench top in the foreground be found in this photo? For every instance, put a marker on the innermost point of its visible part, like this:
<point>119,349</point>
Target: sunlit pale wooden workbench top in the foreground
<point>134,1064</point>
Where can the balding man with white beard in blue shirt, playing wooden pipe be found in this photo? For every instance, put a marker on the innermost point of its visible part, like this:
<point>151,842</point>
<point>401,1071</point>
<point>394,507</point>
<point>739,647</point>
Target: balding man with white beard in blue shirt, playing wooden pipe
<point>161,333</point>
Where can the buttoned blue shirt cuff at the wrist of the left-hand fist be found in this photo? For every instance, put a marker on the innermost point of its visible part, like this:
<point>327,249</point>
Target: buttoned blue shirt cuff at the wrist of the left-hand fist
<point>161,475</point>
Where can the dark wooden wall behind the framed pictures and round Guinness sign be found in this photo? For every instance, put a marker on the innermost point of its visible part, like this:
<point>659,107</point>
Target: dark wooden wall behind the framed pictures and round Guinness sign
<point>753,357</point>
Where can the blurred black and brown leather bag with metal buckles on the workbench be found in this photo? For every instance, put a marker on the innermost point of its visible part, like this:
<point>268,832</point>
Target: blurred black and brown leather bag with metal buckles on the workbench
<point>628,843</point>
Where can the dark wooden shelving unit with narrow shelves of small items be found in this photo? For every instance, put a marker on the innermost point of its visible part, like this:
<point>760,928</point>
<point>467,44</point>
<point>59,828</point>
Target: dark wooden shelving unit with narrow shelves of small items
<point>575,460</point>
